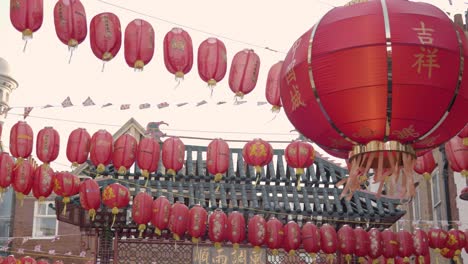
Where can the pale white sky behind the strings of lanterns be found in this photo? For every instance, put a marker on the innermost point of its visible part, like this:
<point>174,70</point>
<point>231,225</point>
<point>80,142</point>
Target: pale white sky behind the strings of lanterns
<point>45,77</point>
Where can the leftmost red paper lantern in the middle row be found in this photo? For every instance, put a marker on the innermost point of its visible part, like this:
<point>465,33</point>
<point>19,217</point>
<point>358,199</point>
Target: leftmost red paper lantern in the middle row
<point>21,140</point>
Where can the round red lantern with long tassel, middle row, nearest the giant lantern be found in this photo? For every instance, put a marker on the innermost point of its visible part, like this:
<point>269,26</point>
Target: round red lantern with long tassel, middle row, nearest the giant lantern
<point>299,155</point>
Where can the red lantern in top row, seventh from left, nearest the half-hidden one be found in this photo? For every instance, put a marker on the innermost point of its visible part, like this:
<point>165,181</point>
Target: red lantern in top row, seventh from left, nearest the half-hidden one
<point>244,72</point>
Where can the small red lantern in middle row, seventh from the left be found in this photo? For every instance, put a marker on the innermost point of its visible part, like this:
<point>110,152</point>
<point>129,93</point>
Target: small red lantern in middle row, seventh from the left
<point>173,155</point>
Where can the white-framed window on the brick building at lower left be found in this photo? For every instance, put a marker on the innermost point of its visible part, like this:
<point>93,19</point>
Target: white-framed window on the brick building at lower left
<point>45,223</point>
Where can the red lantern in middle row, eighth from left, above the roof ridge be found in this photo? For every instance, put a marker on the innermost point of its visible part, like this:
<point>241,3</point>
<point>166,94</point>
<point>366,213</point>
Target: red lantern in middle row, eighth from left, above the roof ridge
<point>217,158</point>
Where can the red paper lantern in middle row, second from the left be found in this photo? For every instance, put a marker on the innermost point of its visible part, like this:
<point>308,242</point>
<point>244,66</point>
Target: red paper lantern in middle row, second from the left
<point>47,145</point>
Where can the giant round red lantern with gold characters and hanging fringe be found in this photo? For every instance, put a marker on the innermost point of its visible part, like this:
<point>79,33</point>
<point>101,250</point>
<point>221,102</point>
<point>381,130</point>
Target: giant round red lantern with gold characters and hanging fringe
<point>413,58</point>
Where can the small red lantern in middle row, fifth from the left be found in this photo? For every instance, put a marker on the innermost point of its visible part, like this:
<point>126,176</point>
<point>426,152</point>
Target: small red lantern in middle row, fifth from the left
<point>124,153</point>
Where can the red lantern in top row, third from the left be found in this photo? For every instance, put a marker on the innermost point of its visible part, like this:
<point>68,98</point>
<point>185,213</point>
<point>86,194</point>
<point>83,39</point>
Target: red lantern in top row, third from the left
<point>105,36</point>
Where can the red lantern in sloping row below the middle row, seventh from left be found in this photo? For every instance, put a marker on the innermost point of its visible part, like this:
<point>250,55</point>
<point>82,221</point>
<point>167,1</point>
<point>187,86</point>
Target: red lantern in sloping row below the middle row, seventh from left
<point>141,210</point>
